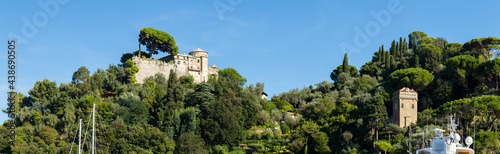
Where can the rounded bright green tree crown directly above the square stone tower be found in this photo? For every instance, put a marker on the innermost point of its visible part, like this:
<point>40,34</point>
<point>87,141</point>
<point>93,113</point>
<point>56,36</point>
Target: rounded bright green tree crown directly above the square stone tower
<point>415,78</point>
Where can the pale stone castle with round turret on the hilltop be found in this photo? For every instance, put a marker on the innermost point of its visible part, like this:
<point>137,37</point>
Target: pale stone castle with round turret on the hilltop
<point>194,64</point>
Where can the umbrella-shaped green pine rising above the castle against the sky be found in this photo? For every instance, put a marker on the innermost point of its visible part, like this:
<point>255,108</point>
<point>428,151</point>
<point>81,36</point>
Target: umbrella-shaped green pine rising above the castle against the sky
<point>156,40</point>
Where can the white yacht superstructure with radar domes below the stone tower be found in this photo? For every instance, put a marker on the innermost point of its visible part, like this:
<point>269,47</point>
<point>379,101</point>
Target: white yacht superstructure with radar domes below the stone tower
<point>448,144</point>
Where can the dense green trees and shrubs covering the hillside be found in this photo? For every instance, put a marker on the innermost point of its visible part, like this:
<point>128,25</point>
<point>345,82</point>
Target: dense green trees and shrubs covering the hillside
<point>227,115</point>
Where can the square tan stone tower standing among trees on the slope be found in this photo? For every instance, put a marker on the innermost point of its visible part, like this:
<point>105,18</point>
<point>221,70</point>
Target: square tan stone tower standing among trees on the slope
<point>404,103</point>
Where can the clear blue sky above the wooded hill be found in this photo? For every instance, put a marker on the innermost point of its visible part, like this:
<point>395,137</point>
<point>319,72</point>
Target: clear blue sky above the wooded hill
<point>283,44</point>
